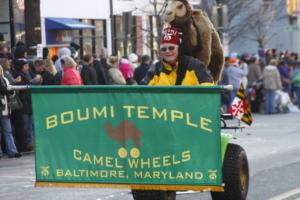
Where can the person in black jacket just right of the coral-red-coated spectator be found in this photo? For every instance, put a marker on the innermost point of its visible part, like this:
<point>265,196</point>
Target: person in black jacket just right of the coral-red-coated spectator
<point>88,72</point>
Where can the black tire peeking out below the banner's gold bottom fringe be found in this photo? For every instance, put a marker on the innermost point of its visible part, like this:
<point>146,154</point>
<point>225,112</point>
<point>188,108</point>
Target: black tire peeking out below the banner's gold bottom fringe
<point>153,195</point>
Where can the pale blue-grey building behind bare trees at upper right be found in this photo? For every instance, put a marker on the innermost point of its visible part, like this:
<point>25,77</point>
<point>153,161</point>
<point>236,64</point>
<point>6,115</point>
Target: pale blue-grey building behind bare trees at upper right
<point>281,31</point>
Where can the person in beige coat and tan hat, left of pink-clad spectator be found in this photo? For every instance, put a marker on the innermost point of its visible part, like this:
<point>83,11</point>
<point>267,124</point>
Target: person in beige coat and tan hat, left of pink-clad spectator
<point>114,71</point>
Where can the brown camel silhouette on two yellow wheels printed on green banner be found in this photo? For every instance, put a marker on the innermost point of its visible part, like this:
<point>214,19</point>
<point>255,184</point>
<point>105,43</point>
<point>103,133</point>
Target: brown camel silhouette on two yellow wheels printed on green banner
<point>124,131</point>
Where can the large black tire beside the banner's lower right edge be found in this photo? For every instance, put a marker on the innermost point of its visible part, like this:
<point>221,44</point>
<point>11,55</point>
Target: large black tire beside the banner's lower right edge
<point>235,175</point>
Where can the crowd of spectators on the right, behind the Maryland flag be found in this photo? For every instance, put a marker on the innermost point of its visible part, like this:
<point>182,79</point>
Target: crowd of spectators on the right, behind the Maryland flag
<point>272,80</point>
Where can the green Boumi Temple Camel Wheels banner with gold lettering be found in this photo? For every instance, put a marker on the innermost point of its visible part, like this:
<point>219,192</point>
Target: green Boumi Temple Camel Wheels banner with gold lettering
<point>140,137</point>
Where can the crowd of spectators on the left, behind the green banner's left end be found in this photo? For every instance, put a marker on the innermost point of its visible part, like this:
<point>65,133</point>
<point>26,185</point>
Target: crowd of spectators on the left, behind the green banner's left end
<point>66,68</point>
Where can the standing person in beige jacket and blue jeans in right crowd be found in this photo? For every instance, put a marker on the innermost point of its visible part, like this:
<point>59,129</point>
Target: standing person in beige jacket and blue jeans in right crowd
<point>271,82</point>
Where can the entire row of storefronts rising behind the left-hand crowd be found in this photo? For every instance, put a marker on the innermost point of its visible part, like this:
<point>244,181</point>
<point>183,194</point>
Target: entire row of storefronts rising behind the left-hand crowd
<point>121,26</point>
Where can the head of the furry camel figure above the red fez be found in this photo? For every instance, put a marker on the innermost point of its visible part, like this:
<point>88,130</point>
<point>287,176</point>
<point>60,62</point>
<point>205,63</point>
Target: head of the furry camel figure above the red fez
<point>177,12</point>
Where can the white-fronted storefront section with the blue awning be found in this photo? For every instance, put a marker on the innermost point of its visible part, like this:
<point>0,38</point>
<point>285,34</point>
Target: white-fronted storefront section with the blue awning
<point>86,23</point>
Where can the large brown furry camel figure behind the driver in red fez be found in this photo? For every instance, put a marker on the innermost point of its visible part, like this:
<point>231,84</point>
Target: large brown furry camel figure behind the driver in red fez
<point>200,39</point>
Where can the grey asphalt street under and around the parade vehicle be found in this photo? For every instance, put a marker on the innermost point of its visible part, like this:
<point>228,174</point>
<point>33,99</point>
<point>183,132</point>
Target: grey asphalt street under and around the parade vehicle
<point>272,146</point>
